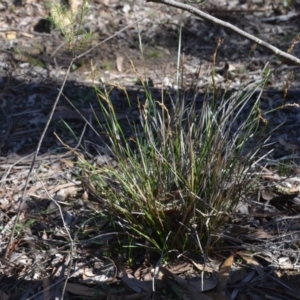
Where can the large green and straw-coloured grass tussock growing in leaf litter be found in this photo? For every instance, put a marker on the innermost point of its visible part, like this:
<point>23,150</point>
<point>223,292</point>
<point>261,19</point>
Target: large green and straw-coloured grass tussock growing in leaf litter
<point>184,171</point>
